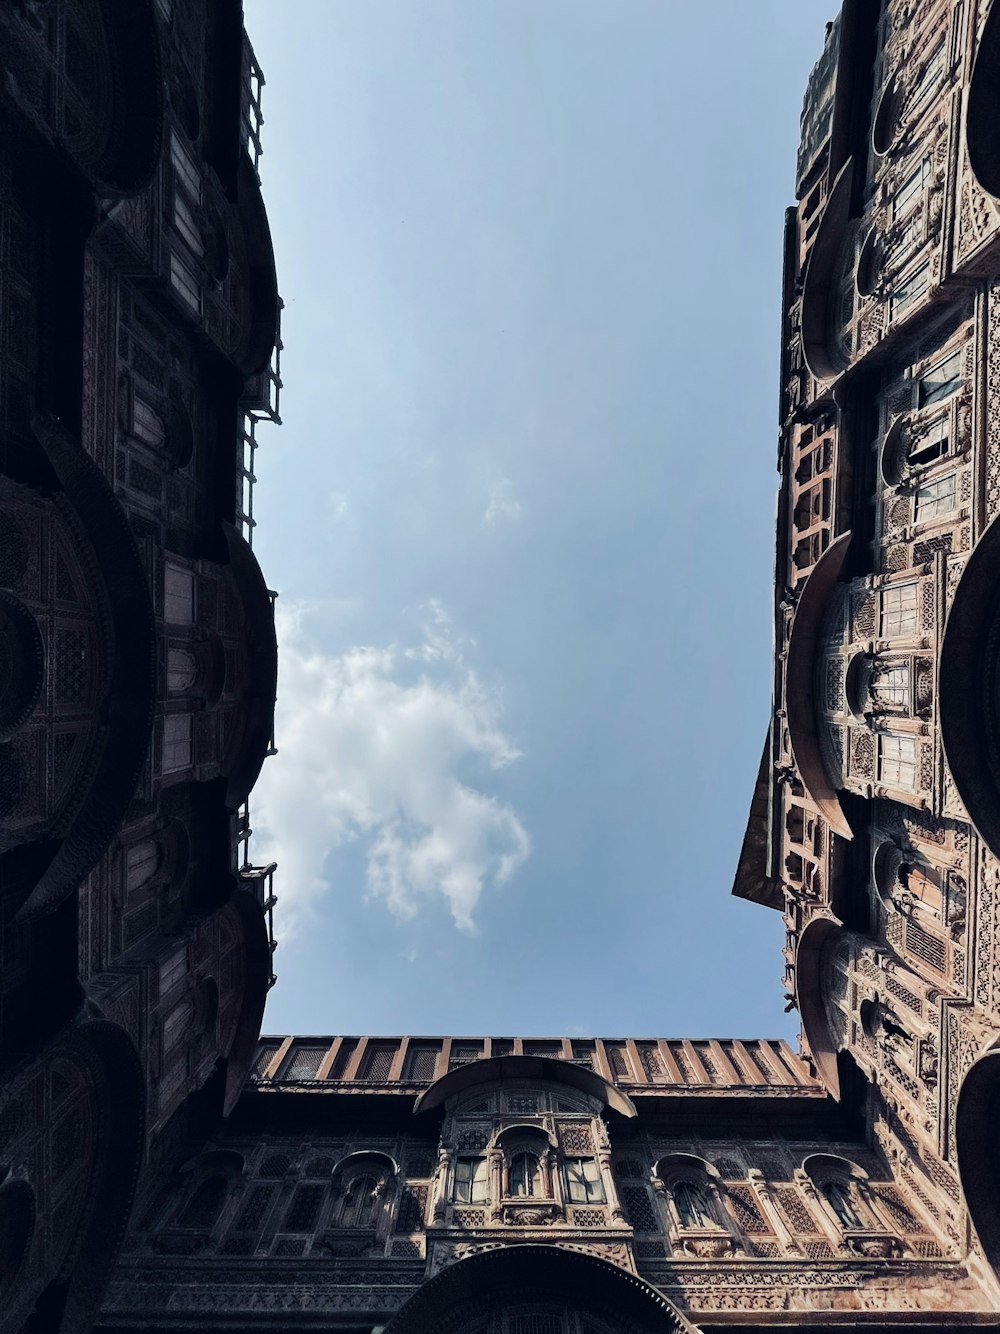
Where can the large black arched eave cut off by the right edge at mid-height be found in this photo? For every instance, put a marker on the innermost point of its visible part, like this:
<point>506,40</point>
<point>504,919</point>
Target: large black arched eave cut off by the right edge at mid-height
<point>967,684</point>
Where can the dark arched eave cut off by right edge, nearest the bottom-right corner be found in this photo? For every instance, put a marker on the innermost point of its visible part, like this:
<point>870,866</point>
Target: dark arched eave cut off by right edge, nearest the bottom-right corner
<point>979,1152</point>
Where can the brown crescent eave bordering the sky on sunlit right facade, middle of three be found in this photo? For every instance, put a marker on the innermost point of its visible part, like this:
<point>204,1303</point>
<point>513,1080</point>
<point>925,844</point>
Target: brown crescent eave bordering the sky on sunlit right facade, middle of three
<point>801,701</point>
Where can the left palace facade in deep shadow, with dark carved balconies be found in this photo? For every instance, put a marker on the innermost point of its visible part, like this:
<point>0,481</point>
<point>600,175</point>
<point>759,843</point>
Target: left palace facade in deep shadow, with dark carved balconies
<point>138,657</point>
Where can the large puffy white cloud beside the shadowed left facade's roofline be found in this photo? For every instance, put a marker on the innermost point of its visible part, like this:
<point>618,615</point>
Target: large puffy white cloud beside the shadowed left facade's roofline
<point>371,746</point>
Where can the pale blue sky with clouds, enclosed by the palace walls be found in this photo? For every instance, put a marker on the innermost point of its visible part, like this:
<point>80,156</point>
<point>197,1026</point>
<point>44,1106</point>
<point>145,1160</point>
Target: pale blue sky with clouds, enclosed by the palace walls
<point>521,512</point>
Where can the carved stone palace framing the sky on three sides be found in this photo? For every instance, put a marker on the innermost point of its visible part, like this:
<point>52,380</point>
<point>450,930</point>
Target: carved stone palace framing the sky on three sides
<point>163,1169</point>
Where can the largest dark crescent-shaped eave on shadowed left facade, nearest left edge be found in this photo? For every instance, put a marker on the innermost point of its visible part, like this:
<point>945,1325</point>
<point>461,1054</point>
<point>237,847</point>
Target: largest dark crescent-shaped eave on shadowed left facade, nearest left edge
<point>131,689</point>
